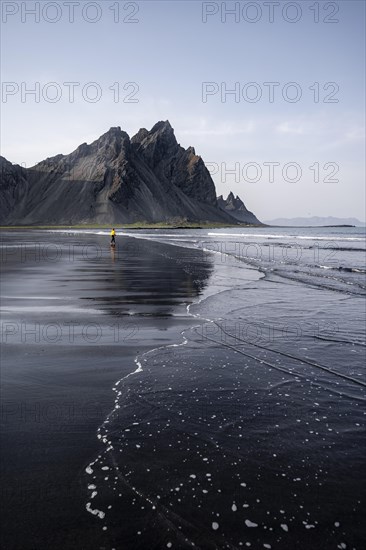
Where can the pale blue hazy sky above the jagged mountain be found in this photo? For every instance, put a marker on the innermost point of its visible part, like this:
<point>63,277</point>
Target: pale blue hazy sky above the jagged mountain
<point>291,133</point>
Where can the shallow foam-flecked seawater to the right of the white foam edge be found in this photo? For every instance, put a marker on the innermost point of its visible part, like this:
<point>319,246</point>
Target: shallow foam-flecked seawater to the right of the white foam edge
<point>246,432</point>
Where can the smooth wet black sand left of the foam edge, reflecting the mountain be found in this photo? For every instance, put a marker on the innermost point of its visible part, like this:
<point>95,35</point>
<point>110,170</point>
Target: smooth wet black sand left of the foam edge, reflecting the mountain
<point>74,316</point>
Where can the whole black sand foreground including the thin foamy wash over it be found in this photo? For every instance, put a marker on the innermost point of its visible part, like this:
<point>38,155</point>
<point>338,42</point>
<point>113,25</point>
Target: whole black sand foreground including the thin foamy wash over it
<point>240,427</point>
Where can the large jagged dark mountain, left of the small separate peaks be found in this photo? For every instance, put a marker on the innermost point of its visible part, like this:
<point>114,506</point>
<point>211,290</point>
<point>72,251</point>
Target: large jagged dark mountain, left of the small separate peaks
<point>115,179</point>
